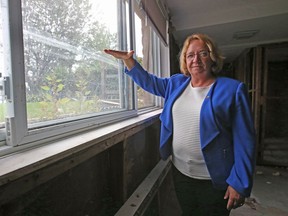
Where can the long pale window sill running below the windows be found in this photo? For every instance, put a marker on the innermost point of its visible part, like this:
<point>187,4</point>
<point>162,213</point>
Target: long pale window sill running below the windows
<point>90,143</point>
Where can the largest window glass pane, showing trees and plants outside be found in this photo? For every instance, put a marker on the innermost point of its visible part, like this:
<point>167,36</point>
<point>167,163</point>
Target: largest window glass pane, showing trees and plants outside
<point>67,74</point>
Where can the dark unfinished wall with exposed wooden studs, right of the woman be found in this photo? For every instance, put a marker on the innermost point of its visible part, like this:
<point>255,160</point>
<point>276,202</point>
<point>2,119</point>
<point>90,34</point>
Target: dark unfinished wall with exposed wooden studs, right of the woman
<point>265,71</point>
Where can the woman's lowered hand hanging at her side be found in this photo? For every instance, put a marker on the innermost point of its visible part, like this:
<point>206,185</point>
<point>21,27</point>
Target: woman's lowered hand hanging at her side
<point>235,200</point>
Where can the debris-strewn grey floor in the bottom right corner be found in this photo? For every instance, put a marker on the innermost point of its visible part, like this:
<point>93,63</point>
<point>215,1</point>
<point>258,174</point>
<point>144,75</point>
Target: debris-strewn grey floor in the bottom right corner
<point>269,195</point>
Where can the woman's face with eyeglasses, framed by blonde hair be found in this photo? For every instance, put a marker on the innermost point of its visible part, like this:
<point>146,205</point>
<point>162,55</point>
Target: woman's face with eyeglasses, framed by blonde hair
<point>198,60</point>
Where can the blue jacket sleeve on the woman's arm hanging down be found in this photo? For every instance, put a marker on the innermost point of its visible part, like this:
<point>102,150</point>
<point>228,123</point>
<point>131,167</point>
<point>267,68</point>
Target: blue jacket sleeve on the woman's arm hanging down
<point>243,132</point>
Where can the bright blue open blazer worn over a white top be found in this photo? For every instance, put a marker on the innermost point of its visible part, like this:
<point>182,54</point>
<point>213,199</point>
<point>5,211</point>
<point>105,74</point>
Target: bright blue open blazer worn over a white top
<point>227,133</point>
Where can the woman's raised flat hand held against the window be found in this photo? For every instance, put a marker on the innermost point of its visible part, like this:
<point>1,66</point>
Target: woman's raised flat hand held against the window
<point>125,56</point>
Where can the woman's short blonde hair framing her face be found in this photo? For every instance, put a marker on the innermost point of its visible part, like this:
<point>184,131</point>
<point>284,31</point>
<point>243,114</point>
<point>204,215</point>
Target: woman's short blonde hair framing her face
<point>215,53</point>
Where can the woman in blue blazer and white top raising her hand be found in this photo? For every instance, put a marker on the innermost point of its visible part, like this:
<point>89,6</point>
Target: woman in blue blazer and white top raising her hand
<point>207,127</point>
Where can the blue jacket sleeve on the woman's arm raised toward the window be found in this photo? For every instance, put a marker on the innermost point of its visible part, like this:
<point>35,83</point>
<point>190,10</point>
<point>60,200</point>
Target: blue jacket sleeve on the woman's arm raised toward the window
<point>148,81</point>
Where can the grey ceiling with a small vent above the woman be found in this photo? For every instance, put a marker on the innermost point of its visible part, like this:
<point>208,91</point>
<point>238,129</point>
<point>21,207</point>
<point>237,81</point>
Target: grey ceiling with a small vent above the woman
<point>223,19</point>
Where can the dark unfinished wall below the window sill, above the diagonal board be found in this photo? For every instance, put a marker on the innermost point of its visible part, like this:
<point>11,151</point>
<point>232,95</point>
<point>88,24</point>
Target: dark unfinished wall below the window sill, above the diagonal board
<point>98,186</point>
